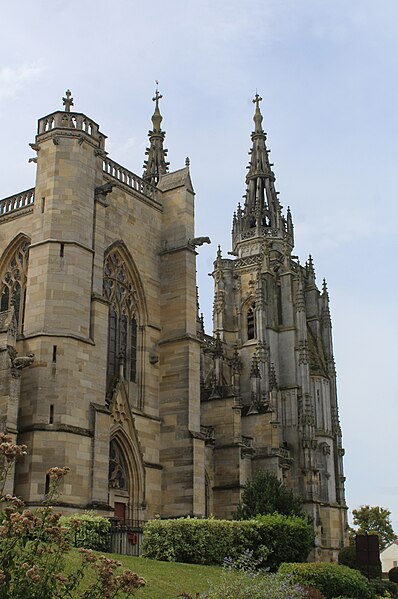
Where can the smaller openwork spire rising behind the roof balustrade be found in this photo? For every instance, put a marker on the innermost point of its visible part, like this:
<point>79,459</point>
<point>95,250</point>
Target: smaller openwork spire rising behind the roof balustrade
<point>156,164</point>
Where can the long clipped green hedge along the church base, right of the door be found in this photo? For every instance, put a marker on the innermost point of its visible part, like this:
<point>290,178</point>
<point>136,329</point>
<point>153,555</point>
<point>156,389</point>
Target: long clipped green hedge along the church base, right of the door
<point>209,541</point>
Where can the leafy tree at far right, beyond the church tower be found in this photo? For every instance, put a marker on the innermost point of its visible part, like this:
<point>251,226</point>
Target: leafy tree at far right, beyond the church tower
<point>374,520</point>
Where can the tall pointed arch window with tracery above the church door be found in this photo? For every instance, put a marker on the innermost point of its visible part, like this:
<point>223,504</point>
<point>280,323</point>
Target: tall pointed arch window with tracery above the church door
<point>122,324</point>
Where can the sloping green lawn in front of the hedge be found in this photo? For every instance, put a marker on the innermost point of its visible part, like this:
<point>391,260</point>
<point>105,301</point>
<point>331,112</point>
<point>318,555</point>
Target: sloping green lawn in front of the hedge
<point>164,580</point>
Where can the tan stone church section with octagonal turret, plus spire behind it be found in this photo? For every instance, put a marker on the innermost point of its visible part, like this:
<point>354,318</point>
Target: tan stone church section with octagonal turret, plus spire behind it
<point>98,293</point>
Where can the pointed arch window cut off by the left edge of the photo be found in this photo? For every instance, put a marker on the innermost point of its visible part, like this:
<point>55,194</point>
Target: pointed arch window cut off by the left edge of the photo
<point>13,283</point>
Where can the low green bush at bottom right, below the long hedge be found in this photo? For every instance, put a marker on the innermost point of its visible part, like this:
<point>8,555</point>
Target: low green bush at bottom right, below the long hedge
<point>332,580</point>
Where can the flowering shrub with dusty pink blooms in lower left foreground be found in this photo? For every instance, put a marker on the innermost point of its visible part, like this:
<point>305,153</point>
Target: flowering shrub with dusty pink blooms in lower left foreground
<point>33,545</point>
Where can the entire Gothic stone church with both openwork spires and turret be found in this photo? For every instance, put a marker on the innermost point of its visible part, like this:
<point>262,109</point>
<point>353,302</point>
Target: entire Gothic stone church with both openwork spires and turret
<point>105,366</point>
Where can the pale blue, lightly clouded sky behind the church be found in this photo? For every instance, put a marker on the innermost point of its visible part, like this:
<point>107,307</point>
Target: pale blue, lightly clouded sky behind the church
<point>327,73</point>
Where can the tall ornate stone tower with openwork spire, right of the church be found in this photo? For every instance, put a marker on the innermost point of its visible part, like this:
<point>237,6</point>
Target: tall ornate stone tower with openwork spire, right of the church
<point>268,376</point>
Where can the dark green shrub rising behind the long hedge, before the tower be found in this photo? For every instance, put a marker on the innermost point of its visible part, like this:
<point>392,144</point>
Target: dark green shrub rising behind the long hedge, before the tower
<point>265,494</point>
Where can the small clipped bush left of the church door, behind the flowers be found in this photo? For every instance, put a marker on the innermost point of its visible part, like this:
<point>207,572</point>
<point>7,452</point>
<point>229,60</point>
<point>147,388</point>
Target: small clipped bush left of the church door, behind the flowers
<point>88,531</point>
